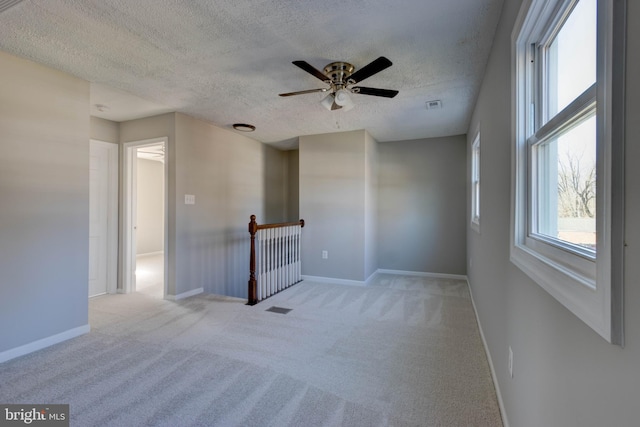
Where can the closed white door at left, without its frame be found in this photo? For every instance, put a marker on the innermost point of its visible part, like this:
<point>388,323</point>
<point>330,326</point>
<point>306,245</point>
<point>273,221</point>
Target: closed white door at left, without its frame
<point>99,212</point>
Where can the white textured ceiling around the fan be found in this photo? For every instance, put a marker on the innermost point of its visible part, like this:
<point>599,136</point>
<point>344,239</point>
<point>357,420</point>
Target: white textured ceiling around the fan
<point>226,61</point>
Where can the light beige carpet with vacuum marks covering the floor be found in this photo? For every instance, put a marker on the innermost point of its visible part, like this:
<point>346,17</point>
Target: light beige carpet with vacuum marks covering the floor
<point>403,352</point>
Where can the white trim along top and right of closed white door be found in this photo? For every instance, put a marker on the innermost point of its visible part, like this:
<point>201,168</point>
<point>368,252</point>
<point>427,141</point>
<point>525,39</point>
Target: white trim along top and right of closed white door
<point>113,152</point>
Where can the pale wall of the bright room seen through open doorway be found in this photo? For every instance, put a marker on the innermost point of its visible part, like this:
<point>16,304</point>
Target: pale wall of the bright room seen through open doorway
<point>150,207</point>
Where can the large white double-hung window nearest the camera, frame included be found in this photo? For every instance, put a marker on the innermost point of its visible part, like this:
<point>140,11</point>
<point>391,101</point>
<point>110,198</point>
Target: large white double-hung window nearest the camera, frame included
<point>567,167</point>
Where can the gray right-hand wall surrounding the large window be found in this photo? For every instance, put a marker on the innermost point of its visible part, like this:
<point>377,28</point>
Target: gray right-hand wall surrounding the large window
<point>565,374</point>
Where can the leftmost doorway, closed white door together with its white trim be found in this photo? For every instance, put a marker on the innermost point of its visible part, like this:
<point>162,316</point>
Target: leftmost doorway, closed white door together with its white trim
<point>103,217</point>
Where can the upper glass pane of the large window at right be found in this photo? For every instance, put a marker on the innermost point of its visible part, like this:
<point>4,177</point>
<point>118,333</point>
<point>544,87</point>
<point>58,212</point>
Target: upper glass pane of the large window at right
<point>571,58</point>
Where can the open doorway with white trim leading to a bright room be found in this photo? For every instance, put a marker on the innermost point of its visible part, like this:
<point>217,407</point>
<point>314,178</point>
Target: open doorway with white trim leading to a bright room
<point>145,217</point>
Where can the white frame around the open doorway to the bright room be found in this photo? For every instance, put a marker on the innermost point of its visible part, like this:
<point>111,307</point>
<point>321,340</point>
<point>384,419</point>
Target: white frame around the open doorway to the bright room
<point>129,209</point>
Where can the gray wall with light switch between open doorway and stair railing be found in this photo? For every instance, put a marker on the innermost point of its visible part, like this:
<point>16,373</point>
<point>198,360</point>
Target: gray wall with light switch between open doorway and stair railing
<point>227,173</point>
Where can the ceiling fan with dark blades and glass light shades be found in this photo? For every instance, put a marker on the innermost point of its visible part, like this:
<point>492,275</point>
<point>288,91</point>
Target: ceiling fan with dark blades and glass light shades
<point>340,77</point>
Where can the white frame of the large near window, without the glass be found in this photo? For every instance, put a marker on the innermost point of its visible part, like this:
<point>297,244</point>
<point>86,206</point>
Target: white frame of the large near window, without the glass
<point>589,286</point>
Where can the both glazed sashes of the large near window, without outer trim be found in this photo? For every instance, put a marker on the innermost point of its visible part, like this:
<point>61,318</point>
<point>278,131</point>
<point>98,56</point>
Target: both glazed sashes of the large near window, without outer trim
<point>563,140</point>
